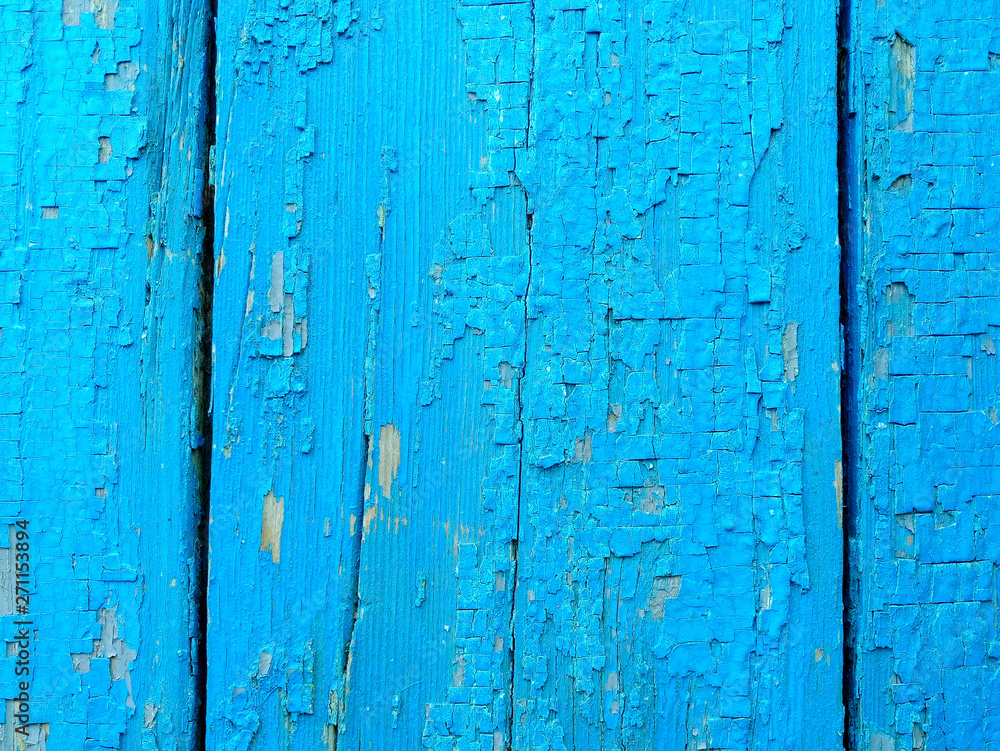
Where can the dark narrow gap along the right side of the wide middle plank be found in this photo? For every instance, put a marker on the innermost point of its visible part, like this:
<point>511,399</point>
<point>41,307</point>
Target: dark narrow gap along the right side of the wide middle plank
<point>847,206</point>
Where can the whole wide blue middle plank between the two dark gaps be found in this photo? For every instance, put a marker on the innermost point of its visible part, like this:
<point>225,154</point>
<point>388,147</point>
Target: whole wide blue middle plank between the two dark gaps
<point>556,464</point>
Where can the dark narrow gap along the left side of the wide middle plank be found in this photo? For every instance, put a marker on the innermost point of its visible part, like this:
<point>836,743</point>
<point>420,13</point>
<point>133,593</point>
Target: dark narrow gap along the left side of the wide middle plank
<point>203,374</point>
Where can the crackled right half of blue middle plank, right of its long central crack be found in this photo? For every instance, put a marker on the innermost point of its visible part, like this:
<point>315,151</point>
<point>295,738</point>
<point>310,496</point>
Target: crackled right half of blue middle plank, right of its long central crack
<point>679,557</point>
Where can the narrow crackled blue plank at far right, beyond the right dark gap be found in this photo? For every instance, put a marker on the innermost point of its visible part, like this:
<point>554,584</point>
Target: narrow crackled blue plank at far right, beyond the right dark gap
<point>925,107</point>
